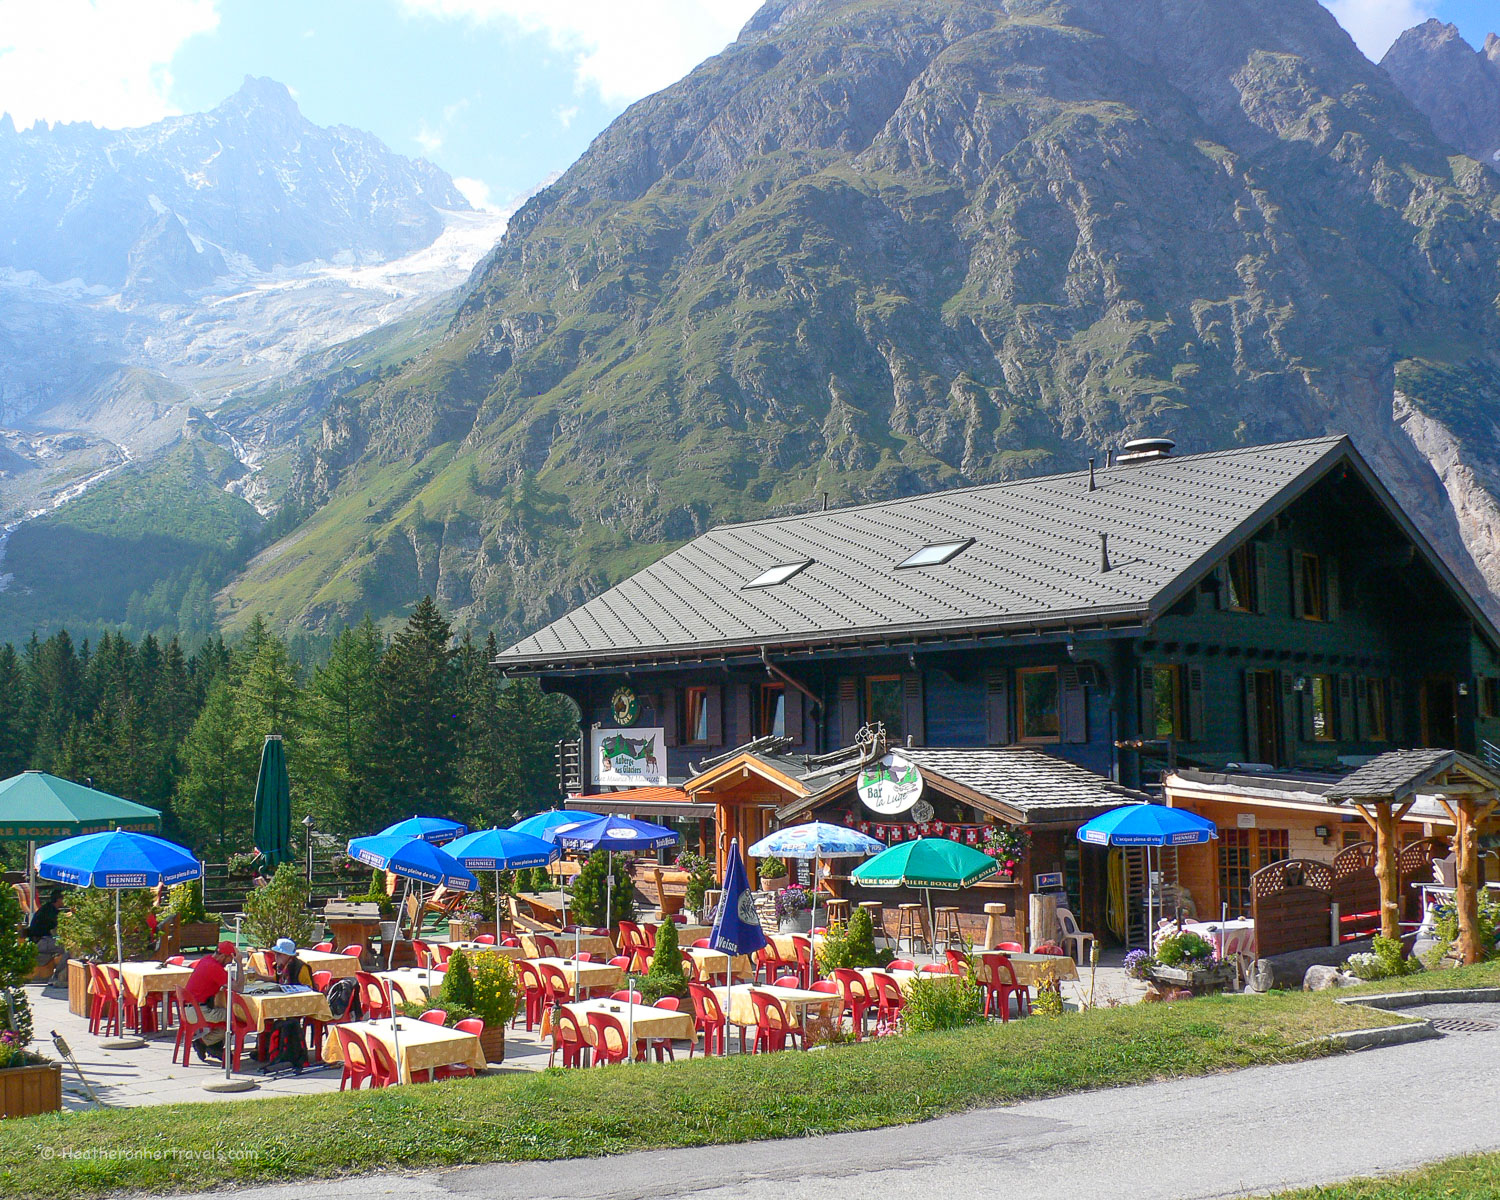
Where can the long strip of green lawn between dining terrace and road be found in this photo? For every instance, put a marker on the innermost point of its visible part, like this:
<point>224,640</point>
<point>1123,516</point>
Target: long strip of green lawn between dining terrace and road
<point>572,1114</point>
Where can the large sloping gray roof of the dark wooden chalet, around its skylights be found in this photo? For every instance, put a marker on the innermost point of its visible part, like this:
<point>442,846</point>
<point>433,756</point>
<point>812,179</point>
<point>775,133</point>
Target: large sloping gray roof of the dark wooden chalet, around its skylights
<point>1036,560</point>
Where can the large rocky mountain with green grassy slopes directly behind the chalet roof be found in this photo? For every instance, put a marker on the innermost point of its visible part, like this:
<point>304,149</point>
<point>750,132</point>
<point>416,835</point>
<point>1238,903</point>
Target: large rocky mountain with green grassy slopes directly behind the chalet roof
<point>880,247</point>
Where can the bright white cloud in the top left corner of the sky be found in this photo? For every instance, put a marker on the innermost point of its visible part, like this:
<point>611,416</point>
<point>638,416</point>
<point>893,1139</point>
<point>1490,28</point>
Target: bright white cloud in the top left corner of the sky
<point>94,61</point>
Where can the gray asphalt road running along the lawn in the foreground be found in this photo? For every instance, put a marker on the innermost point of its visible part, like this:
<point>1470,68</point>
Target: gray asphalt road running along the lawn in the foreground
<point>1232,1135</point>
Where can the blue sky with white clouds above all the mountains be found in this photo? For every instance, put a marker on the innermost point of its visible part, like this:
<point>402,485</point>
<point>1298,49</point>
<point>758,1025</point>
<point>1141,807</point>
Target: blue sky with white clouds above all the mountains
<point>502,94</point>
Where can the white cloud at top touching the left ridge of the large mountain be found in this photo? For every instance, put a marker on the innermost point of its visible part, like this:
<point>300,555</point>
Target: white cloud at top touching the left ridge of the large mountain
<point>620,50</point>
